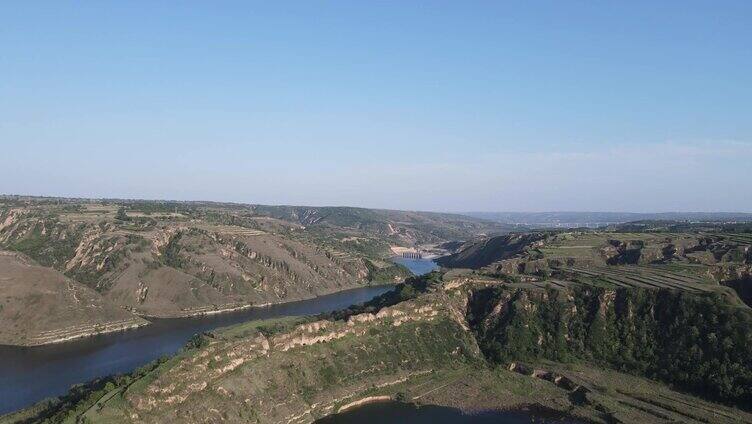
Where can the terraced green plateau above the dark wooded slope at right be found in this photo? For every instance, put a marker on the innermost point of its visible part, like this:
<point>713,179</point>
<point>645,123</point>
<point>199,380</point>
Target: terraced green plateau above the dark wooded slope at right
<point>710,259</point>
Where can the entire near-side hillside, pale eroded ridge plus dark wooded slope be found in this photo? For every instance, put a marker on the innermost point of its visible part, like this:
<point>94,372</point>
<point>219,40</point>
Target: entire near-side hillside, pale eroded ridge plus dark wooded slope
<point>595,354</point>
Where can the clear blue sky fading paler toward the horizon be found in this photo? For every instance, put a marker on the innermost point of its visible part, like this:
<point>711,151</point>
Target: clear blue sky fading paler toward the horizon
<point>435,105</point>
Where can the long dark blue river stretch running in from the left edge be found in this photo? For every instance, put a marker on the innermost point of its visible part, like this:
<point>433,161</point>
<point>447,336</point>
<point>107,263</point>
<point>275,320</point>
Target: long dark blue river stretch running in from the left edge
<point>28,375</point>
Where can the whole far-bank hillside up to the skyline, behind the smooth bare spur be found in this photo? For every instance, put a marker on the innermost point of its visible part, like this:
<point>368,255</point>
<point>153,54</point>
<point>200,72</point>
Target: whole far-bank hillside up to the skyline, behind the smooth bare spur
<point>170,259</point>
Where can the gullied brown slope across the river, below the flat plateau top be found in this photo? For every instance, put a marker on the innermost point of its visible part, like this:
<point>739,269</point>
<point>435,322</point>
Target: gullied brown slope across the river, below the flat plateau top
<point>179,267</point>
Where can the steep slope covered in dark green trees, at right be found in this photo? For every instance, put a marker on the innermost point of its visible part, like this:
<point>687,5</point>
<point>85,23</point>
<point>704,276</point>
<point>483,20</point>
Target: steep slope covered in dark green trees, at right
<point>696,342</point>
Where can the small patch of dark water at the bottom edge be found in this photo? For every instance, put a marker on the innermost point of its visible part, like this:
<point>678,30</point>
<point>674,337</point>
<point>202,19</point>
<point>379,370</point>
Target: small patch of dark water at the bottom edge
<point>396,412</point>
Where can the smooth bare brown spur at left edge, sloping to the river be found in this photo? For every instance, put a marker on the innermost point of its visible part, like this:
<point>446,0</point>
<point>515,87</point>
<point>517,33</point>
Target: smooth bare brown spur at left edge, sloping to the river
<point>40,305</point>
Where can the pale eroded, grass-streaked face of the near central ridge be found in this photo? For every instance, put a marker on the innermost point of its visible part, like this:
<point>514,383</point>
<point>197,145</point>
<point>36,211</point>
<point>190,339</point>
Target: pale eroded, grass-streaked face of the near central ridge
<point>308,371</point>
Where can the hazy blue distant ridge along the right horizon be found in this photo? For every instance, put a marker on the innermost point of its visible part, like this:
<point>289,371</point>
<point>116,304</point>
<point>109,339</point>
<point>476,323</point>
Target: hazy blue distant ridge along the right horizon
<point>595,219</point>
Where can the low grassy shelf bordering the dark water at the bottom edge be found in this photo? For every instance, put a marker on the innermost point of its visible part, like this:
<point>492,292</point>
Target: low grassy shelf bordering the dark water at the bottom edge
<point>591,395</point>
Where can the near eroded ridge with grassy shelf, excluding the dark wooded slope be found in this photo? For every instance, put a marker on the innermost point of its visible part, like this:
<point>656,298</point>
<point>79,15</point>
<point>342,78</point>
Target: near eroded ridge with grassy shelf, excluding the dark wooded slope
<point>420,351</point>
